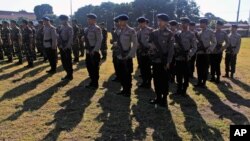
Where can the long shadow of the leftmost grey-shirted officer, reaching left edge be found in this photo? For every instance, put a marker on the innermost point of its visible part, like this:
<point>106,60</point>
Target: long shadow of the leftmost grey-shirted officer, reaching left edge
<point>26,87</point>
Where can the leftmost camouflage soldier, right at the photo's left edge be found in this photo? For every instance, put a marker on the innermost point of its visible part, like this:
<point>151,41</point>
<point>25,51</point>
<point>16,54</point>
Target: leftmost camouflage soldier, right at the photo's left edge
<point>7,41</point>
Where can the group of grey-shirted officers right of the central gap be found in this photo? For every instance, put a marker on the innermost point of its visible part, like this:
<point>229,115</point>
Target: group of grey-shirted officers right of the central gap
<point>171,51</point>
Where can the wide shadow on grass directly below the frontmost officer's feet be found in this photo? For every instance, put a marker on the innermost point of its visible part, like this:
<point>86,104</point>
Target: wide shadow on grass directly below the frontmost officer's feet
<point>151,117</point>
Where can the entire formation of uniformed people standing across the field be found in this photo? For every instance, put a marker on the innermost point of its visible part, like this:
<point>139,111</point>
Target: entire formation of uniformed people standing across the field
<point>164,53</point>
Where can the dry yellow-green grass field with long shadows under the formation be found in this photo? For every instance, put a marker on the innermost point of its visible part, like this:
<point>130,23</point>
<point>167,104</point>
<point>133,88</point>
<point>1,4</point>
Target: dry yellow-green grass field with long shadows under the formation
<point>35,106</point>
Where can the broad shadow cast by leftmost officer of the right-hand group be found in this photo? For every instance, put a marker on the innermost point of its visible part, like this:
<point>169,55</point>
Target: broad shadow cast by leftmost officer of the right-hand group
<point>116,118</point>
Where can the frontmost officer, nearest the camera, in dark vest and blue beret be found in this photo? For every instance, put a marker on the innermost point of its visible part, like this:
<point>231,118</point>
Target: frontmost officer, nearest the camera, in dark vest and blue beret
<point>162,51</point>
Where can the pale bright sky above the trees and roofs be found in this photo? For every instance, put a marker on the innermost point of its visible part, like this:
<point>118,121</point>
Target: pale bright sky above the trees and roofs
<point>223,8</point>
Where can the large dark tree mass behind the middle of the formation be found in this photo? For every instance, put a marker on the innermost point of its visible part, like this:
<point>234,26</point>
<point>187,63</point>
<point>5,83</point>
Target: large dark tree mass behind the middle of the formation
<point>108,10</point>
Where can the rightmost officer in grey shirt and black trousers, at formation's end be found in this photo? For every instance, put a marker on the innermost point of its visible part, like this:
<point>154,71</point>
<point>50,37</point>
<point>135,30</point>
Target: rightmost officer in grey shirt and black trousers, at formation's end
<point>232,51</point>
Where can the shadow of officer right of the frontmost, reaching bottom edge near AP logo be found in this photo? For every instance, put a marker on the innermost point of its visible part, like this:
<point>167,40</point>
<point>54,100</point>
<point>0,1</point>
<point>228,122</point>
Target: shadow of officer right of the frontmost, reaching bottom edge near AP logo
<point>194,123</point>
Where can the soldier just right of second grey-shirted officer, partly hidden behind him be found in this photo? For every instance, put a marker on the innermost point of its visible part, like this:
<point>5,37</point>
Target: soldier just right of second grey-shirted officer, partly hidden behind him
<point>76,42</point>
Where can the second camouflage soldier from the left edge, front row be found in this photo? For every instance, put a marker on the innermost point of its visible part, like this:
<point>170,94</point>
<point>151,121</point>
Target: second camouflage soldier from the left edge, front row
<point>16,37</point>
